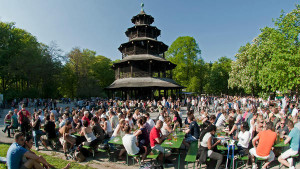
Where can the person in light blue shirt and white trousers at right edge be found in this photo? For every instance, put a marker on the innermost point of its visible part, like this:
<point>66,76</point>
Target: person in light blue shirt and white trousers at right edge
<point>294,139</point>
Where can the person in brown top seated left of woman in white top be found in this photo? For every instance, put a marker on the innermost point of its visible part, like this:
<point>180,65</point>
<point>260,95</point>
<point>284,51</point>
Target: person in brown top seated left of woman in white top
<point>66,138</point>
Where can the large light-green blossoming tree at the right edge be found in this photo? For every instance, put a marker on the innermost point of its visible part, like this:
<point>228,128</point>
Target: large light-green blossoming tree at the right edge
<point>272,62</point>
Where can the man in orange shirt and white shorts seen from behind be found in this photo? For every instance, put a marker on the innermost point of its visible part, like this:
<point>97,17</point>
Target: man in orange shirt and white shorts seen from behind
<point>266,140</point>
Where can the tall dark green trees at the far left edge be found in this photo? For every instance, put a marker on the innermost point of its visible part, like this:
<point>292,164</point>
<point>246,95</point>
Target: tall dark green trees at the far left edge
<point>26,66</point>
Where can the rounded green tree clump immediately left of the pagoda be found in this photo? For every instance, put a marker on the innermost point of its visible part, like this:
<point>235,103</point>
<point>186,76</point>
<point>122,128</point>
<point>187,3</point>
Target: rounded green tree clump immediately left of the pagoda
<point>86,74</point>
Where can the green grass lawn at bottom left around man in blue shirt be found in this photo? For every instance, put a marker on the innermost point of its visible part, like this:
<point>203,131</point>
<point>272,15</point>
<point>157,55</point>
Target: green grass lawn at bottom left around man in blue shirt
<point>57,162</point>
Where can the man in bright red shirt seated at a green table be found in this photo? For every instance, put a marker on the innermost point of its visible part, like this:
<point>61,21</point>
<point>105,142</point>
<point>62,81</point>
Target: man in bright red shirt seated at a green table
<point>156,139</point>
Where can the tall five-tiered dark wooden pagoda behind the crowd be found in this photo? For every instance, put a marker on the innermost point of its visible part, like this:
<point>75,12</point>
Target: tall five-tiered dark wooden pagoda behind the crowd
<point>143,70</point>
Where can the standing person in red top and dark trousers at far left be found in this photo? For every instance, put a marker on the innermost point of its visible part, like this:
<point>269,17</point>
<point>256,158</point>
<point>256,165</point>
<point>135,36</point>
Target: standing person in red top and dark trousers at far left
<point>24,120</point>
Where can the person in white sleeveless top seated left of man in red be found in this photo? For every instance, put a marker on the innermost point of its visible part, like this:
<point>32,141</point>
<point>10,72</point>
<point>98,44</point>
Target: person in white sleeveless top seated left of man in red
<point>131,144</point>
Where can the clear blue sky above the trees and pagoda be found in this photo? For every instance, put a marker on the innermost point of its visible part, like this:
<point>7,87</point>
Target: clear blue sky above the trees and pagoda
<point>220,27</point>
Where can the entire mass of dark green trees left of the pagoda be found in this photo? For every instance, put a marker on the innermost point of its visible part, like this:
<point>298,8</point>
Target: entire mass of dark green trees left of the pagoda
<point>32,69</point>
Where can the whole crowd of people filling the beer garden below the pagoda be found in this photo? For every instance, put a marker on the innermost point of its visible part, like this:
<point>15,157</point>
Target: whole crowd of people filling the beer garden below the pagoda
<point>256,124</point>
